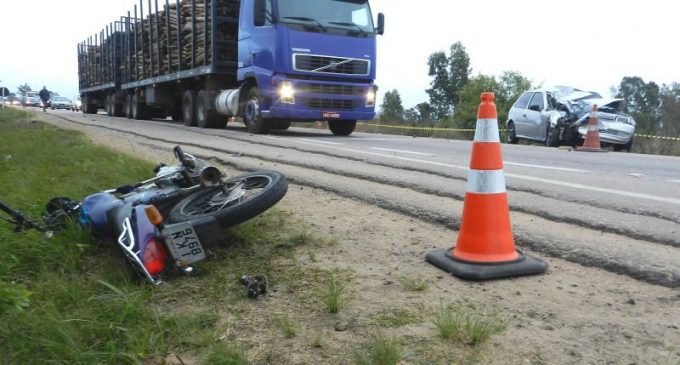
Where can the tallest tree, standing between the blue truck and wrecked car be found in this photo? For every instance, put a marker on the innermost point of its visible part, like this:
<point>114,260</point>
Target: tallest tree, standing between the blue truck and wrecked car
<point>449,75</point>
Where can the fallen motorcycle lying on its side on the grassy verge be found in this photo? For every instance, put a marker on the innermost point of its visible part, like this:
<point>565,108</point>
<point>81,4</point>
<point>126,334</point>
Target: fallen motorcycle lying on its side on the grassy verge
<point>168,220</point>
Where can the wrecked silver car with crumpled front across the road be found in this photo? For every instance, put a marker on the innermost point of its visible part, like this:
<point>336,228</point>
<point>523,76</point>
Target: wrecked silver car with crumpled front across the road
<point>560,116</point>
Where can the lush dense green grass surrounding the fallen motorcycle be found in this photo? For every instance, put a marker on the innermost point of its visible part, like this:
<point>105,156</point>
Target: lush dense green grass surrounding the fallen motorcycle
<point>71,299</point>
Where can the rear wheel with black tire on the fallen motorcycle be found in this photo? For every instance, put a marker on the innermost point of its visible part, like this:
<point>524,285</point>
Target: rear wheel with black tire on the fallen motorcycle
<point>261,190</point>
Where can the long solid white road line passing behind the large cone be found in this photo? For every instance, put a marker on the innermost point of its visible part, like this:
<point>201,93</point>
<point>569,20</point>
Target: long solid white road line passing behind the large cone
<point>515,176</point>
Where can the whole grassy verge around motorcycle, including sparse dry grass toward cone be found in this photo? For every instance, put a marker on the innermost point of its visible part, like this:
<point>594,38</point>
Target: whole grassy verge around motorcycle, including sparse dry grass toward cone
<point>71,299</point>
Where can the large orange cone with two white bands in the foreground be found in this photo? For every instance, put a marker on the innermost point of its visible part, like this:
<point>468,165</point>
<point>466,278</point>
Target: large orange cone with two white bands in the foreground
<point>485,248</point>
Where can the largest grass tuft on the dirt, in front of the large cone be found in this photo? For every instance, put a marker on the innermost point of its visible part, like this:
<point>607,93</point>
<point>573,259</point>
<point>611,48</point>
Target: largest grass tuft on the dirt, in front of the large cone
<point>466,324</point>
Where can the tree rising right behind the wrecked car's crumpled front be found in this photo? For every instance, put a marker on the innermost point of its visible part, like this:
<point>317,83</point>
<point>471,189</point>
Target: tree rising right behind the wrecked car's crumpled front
<point>642,102</point>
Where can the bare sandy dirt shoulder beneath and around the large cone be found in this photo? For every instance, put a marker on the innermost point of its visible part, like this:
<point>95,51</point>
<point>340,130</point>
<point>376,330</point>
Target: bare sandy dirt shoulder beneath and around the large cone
<point>570,315</point>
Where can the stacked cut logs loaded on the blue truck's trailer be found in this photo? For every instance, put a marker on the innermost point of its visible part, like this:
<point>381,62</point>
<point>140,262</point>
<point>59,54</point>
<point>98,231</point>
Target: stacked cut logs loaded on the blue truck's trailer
<point>155,38</point>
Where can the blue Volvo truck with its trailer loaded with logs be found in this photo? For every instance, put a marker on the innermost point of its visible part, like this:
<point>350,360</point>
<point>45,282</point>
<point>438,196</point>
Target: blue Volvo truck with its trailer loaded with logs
<point>269,62</point>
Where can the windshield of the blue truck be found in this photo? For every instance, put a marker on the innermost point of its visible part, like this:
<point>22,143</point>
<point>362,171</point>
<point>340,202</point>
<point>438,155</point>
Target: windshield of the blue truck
<point>322,15</point>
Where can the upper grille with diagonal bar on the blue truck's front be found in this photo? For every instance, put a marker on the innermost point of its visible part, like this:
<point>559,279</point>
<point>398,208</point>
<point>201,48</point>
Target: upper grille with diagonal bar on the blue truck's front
<point>330,65</point>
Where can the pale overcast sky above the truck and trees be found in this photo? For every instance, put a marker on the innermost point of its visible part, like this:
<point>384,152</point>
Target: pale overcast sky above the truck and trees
<point>589,45</point>
